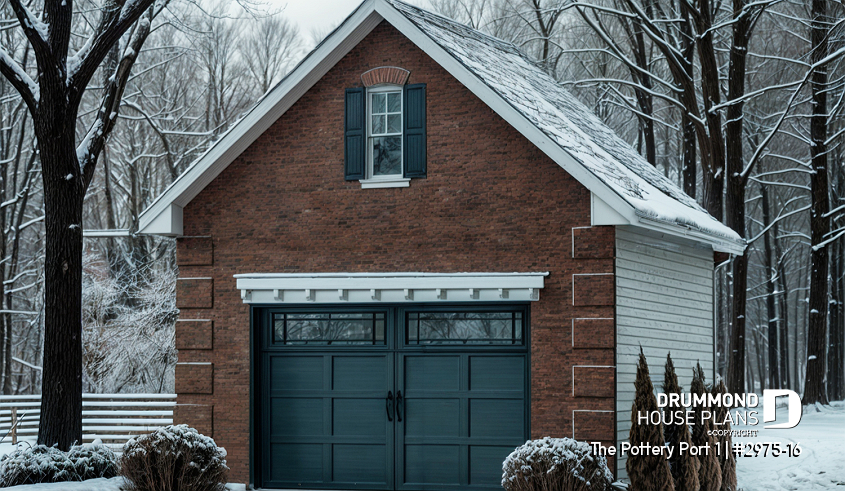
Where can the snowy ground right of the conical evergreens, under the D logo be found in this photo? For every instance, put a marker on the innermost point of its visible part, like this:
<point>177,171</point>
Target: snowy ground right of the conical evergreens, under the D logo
<point>821,434</point>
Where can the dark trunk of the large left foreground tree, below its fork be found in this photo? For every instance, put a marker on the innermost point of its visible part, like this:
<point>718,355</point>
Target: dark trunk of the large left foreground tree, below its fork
<point>61,402</point>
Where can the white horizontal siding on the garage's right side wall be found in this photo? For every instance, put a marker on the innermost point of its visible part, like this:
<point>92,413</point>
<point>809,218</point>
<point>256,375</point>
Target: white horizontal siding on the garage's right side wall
<point>664,303</point>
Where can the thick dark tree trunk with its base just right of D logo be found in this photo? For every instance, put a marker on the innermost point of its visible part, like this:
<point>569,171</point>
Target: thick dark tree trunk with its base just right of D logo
<point>814,386</point>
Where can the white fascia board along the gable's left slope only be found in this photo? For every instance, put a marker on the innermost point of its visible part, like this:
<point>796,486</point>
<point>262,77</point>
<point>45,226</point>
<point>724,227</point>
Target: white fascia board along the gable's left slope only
<point>272,106</point>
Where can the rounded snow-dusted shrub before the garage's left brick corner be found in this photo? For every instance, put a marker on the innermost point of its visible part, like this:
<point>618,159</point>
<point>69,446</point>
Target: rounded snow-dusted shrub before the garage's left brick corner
<point>174,458</point>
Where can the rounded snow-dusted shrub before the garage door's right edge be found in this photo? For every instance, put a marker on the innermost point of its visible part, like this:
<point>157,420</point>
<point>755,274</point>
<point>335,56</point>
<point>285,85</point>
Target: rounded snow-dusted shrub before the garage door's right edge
<point>555,464</point>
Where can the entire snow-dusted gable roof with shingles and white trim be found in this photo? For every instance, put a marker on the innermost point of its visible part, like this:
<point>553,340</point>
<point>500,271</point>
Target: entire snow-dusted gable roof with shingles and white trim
<point>509,83</point>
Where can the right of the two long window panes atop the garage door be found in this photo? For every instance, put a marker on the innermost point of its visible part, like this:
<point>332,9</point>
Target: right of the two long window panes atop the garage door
<point>464,328</point>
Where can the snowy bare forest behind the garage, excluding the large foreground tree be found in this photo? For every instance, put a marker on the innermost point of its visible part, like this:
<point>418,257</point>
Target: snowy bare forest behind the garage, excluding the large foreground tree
<point>689,83</point>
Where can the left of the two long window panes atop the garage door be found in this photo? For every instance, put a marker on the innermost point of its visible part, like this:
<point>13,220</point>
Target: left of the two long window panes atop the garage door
<point>334,329</point>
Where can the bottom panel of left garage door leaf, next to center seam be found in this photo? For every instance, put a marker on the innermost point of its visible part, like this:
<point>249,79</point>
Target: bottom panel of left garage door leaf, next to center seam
<point>359,464</point>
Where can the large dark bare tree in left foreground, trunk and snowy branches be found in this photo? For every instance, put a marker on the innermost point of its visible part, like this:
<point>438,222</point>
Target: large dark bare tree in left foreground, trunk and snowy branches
<point>53,98</point>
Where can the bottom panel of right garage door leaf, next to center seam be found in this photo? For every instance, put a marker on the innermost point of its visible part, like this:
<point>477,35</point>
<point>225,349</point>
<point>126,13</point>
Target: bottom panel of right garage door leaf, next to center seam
<point>432,464</point>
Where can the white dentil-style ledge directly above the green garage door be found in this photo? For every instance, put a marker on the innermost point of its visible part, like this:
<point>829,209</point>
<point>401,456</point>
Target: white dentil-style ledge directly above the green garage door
<point>321,288</point>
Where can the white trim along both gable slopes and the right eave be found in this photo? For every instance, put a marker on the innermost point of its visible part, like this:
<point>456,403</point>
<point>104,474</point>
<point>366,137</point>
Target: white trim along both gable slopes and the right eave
<point>327,54</point>
